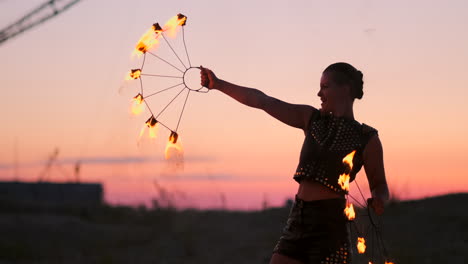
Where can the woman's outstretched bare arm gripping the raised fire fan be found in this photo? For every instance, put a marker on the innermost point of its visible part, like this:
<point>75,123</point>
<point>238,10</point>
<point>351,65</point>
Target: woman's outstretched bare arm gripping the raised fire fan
<point>291,114</point>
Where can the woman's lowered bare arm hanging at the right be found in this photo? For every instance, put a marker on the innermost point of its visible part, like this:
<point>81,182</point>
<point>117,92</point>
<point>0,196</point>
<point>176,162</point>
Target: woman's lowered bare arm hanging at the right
<point>374,167</point>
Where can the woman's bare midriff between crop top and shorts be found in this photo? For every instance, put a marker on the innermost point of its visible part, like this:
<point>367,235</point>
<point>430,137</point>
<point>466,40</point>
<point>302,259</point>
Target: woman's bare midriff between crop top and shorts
<point>310,190</point>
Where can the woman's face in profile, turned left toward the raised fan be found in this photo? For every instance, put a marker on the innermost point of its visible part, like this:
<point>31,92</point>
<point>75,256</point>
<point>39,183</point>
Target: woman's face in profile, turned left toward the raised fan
<point>331,94</point>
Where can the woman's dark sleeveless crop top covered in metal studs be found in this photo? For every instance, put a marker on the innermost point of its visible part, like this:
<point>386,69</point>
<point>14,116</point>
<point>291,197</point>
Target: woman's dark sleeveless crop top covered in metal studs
<point>327,141</point>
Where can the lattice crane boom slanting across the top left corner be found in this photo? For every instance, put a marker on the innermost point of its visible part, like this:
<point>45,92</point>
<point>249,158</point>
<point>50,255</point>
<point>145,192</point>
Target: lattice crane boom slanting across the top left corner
<point>37,16</point>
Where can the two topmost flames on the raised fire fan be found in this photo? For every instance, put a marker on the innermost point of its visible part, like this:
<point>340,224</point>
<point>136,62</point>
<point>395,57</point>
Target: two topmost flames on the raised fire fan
<point>150,38</point>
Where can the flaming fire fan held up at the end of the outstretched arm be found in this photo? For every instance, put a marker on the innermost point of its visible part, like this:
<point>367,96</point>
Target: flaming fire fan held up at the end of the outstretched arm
<point>147,43</point>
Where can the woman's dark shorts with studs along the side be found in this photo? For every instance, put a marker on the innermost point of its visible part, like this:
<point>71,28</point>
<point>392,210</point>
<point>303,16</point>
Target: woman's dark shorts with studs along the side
<point>316,232</point>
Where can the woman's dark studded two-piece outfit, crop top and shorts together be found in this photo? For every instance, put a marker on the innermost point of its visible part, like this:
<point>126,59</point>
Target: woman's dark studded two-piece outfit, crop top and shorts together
<point>317,231</point>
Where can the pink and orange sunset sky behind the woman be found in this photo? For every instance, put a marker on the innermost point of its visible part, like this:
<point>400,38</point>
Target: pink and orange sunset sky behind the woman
<point>61,88</point>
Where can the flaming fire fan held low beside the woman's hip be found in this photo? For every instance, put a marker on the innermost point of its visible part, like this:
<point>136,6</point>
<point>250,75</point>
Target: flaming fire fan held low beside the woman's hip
<point>364,224</point>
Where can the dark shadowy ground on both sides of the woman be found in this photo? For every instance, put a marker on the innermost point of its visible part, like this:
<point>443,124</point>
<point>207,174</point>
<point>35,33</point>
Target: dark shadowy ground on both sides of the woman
<point>433,230</point>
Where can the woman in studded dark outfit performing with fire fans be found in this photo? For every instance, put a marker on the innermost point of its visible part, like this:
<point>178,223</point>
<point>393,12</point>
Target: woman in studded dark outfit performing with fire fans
<point>316,230</point>
